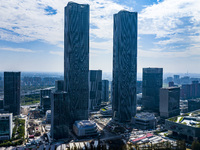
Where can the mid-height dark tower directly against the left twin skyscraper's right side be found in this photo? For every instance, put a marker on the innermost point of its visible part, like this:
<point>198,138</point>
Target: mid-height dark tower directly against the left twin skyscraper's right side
<point>95,89</point>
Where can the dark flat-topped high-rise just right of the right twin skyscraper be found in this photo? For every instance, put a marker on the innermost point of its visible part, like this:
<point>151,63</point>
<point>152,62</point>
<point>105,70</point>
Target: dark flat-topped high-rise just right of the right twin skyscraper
<point>152,82</point>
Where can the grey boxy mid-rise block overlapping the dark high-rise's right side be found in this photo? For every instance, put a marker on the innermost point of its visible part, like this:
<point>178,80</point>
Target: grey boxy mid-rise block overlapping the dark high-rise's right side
<point>169,102</point>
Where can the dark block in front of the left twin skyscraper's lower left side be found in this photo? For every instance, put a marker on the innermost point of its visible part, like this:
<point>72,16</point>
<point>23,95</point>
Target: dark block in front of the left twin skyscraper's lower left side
<point>59,115</point>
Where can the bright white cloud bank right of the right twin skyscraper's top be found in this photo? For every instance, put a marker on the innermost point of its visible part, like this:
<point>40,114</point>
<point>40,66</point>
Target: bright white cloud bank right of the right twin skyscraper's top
<point>165,18</point>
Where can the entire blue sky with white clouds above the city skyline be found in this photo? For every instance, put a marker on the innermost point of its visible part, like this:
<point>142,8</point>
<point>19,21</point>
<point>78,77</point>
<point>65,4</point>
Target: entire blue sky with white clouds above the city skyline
<point>31,34</point>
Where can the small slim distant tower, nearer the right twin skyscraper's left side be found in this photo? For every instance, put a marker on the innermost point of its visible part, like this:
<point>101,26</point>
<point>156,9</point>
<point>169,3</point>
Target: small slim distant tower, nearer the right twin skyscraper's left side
<point>105,90</point>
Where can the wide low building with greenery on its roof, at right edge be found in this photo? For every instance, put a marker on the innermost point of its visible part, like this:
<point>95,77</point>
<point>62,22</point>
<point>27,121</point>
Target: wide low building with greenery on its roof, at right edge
<point>187,126</point>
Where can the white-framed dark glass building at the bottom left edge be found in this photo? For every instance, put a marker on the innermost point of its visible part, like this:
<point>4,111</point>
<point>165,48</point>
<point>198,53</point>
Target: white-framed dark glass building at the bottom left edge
<point>5,126</point>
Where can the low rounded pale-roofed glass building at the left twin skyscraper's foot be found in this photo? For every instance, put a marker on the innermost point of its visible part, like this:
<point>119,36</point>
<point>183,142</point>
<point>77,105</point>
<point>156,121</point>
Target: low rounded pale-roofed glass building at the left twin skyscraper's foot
<point>85,128</point>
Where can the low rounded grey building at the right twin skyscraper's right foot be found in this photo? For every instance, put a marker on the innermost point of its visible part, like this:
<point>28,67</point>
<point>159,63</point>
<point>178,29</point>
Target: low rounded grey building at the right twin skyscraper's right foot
<point>144,120</point>
